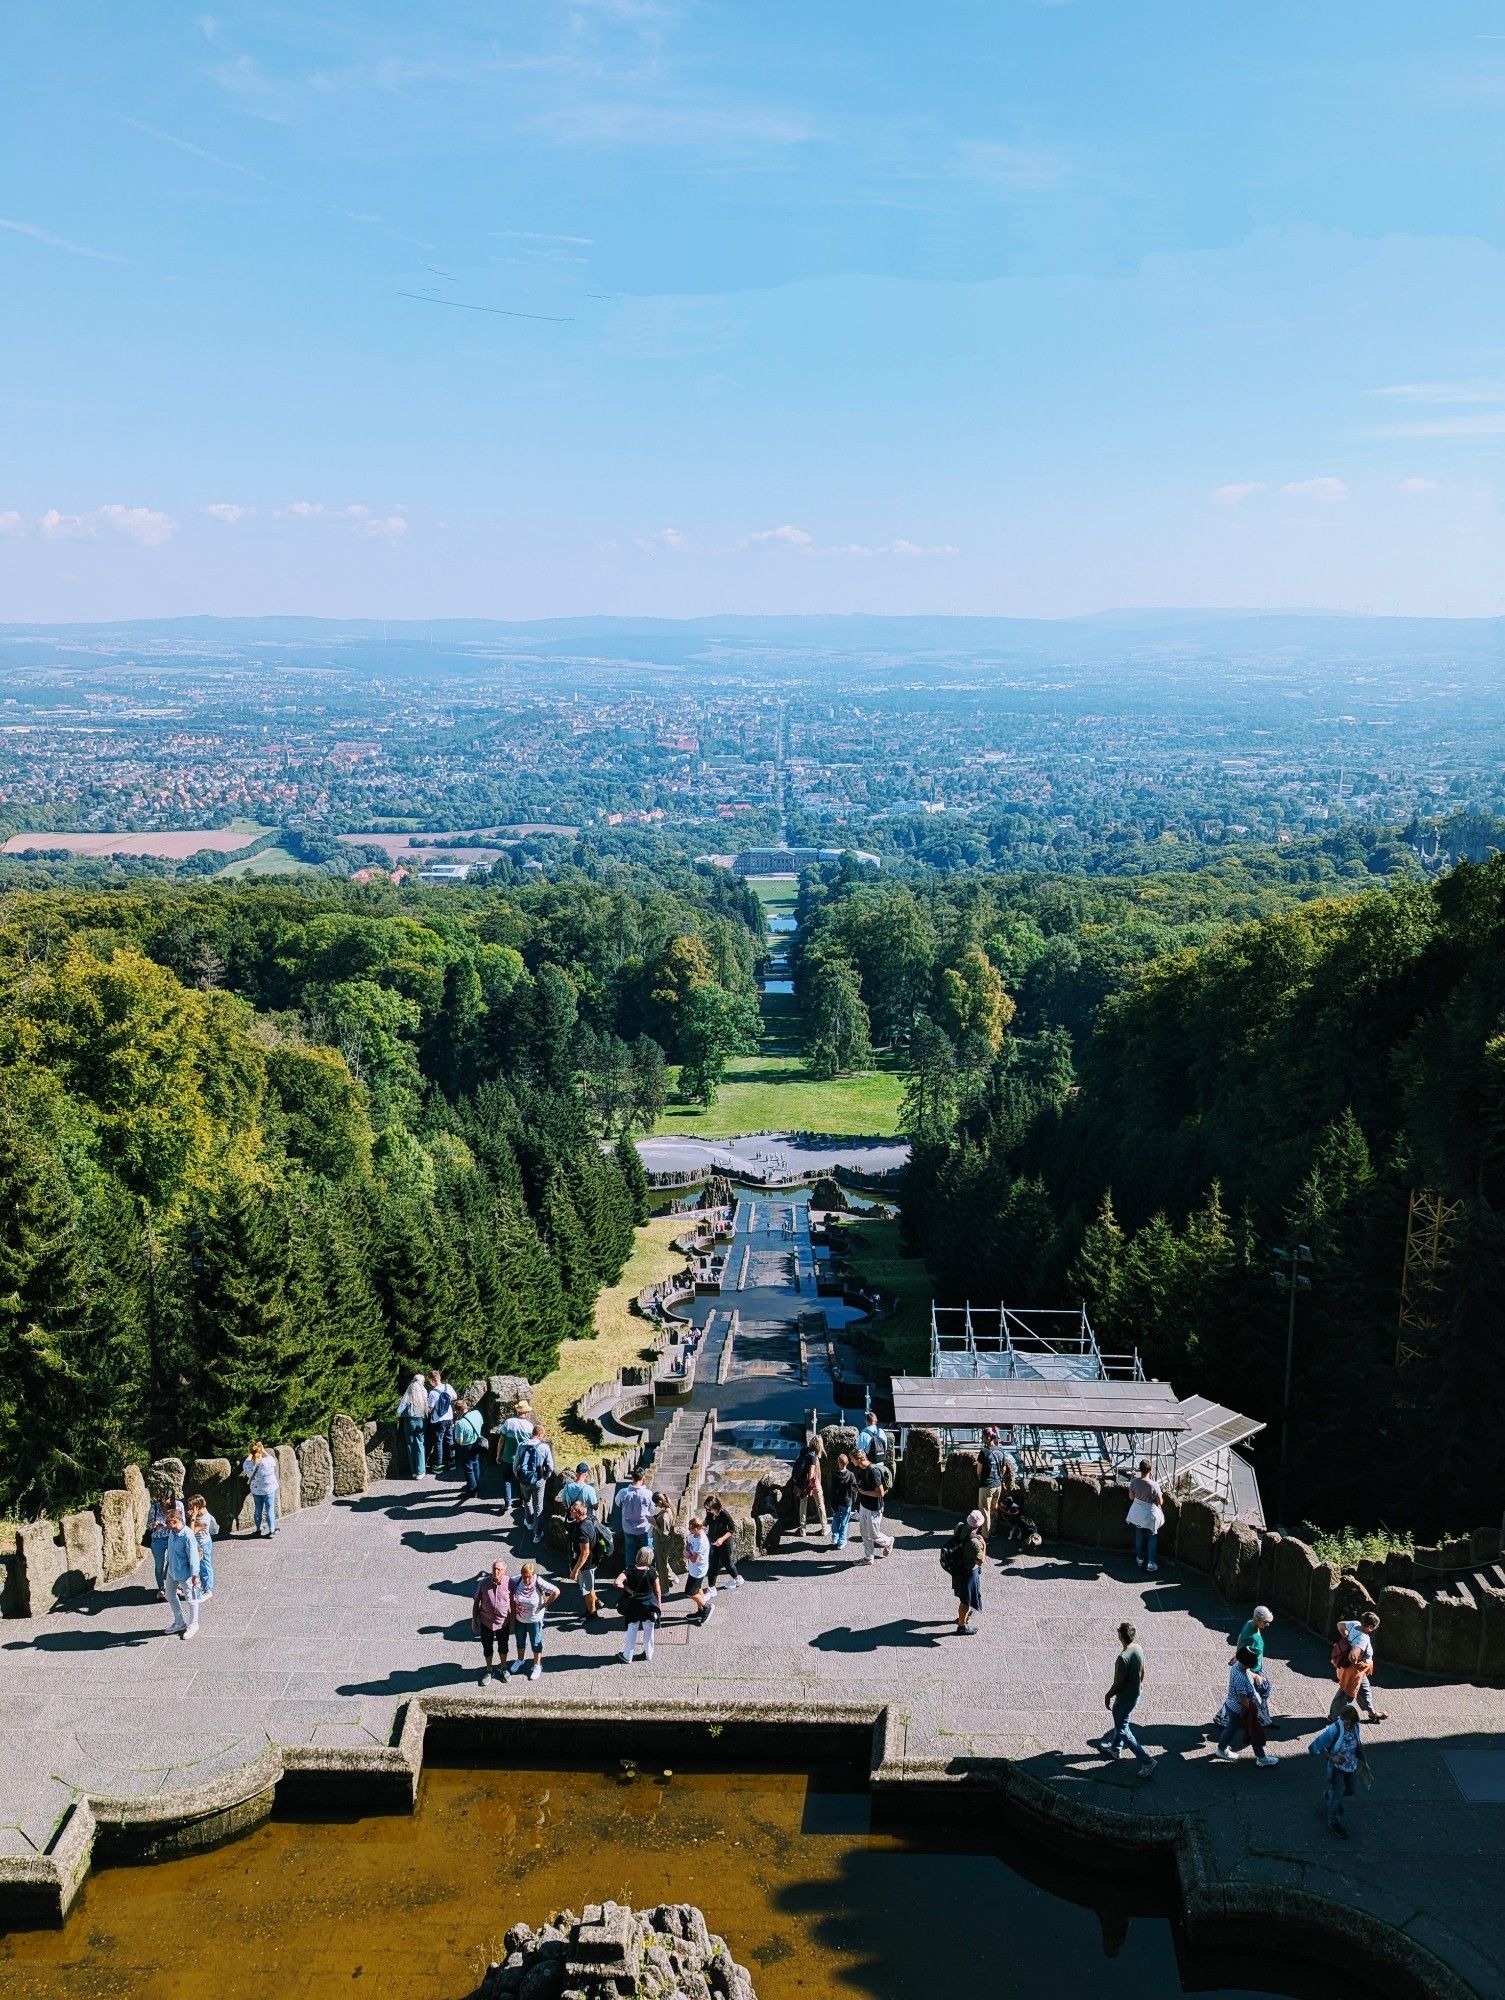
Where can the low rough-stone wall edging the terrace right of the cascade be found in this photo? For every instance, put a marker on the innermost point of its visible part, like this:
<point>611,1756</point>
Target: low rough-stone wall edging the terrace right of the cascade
<point>1456,1629</point>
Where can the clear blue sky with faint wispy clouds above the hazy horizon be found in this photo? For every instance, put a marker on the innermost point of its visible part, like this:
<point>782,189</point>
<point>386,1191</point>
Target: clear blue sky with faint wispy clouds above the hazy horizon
<point>816,305</point>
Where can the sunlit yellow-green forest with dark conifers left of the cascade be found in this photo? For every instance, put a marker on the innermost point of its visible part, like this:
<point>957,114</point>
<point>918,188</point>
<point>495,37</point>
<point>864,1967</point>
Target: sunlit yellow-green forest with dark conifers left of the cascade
<point>265,1149</point>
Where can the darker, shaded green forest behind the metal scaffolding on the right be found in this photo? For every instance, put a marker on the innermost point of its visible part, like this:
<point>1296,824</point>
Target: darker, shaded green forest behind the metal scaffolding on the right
<point>1140,1093</point>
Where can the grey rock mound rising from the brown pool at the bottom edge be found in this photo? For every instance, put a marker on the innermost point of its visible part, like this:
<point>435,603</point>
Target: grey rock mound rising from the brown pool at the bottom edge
<point>611,1953</point>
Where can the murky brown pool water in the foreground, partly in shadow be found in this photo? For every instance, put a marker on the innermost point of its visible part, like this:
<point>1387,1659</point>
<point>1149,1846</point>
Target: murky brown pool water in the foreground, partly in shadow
<point>413,1909</point>
